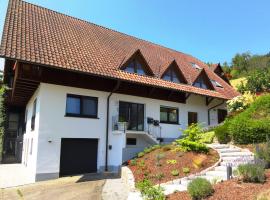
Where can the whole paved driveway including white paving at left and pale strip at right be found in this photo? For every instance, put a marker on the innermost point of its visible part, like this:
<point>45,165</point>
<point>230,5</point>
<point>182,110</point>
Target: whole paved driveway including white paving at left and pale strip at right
<point>84,187</point>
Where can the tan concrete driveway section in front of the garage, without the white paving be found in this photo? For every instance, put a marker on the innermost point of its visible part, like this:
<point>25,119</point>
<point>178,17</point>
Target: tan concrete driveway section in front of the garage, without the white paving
<point>68,188</point>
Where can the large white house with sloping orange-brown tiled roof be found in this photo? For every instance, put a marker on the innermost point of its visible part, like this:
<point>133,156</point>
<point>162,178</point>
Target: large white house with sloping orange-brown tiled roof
<point>84,98</point>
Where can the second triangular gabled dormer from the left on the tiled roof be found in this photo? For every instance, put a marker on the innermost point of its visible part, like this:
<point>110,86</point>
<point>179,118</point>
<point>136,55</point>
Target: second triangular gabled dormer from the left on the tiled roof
<point>173,74</point>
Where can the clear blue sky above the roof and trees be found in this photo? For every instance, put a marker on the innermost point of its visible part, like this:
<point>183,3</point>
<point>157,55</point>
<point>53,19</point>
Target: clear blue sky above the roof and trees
<point>211,30</point>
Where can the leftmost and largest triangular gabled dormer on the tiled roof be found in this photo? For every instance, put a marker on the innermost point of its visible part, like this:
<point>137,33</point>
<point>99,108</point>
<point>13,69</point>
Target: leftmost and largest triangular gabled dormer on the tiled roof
<point>137,64</point>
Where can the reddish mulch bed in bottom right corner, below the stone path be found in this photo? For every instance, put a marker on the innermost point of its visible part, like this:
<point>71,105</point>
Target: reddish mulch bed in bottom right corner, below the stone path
<point>230,190</point>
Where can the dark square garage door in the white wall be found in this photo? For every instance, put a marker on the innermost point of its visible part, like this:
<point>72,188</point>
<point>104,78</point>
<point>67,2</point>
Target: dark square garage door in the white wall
<point>78,156</point>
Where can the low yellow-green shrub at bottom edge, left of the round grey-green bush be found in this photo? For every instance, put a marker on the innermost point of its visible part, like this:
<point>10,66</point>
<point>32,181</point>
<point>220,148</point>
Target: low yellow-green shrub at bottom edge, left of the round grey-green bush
<point>149,192</point>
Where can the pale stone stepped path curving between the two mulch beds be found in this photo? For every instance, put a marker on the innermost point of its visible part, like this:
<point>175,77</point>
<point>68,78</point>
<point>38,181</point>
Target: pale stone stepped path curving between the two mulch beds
<point>229,154</point>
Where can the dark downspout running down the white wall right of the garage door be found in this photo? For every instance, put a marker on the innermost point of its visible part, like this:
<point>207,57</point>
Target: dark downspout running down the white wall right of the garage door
<point>107,123</point>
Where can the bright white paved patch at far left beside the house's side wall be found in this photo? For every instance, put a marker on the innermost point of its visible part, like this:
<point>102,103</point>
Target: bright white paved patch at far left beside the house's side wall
<point>12,175</point>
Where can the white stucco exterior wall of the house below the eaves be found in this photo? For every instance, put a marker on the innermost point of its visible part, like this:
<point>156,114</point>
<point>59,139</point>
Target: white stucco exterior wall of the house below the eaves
<point>52,125</point>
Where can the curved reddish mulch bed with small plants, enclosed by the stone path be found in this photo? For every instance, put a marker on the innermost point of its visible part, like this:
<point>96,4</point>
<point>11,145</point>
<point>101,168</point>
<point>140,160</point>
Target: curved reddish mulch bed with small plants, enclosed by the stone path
<point>167,163</point>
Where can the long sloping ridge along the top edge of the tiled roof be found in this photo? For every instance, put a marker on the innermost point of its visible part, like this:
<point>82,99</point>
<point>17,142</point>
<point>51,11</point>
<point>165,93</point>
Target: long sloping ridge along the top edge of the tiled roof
<point>83,20</point>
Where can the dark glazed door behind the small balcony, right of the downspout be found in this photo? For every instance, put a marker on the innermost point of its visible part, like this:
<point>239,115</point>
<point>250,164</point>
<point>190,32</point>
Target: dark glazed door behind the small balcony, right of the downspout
<point>133,113</point>
